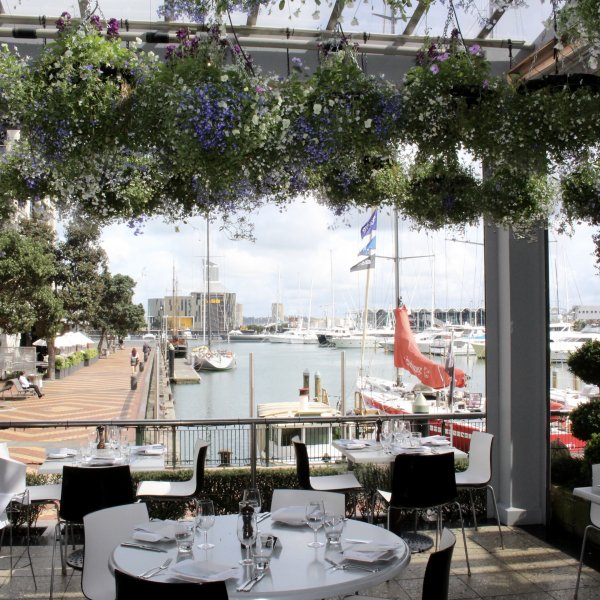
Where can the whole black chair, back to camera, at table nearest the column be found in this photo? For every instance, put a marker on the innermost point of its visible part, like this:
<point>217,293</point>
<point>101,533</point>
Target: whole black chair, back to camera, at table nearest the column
<point>424,482</point>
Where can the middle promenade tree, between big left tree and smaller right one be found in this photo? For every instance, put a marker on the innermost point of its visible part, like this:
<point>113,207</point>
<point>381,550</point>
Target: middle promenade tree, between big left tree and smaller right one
<point>82,264</point>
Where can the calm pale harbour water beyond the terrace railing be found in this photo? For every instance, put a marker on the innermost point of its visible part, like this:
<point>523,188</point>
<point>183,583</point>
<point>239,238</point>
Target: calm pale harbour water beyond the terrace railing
<point>278,375</point>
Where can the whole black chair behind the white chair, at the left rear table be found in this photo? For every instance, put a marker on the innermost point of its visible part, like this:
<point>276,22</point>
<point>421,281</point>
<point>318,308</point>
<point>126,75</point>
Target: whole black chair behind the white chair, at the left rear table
<point>85,490</point>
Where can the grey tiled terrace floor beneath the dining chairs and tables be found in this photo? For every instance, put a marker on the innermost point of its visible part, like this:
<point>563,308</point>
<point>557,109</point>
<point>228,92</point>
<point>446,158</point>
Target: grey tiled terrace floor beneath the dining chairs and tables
<point>527,569</point>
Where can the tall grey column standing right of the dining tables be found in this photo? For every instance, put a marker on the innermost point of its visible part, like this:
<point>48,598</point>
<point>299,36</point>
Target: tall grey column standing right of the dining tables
<point>517,379</point>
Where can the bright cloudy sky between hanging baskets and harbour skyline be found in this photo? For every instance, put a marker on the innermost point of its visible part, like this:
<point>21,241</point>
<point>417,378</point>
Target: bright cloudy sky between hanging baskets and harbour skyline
<point>302,258</point>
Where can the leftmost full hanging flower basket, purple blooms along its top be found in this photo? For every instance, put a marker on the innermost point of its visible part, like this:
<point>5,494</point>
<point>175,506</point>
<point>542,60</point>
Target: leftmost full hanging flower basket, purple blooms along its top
<point>79,91</point>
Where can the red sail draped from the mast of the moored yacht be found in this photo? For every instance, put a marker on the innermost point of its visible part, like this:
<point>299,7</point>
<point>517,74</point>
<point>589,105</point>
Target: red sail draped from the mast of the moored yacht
<point>408,356</point>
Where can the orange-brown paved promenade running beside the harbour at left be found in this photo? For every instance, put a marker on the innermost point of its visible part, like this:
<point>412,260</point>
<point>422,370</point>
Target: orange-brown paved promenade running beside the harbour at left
<point>100,392</point>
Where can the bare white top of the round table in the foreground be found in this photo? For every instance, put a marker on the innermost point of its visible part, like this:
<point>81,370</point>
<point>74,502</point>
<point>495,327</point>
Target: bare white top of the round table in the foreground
<point>296,570</point>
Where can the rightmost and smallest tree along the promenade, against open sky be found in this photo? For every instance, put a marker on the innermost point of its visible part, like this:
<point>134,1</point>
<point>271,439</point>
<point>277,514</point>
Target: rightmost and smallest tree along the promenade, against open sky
<point>116,314</point>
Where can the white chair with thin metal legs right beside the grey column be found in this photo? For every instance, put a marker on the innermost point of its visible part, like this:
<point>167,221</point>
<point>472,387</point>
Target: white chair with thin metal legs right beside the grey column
<point>479,473</point>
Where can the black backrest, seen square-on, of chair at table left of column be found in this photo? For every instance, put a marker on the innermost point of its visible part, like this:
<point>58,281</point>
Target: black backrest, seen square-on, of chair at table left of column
<point>423,480</point>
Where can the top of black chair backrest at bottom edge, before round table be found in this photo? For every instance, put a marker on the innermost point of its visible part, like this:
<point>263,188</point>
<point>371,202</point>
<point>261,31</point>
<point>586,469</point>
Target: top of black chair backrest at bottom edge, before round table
<point>130,587</point>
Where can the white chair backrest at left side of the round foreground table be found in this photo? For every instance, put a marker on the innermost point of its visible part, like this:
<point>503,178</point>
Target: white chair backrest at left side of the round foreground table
<point>103,530</point>
